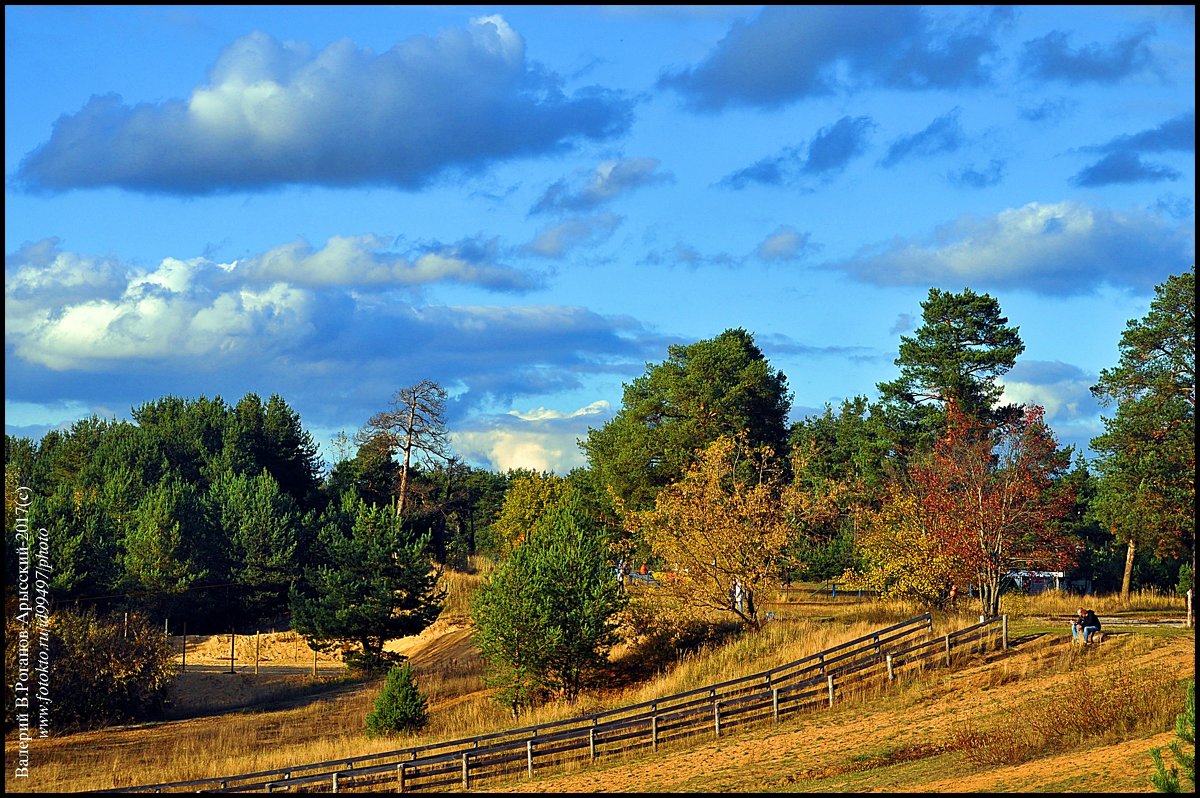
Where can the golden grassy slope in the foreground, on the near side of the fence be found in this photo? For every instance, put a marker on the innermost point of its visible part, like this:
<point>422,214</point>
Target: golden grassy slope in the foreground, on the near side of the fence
<point>905,740</point>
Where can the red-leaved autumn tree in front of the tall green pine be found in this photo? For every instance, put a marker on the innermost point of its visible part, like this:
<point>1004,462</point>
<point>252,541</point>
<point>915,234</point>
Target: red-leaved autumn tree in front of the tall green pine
<point>993,497</point>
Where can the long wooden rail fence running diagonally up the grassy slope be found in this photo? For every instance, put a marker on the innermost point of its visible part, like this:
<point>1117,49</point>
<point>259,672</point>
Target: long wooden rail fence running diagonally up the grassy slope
<point>805,686</point>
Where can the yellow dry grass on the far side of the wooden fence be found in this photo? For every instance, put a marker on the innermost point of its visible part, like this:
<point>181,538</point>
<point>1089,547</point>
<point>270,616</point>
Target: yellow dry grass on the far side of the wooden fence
<point>332,728</point>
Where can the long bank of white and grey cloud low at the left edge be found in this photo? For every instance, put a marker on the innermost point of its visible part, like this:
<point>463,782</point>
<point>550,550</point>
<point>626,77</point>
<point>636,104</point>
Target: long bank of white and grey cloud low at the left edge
<point>67,311</point>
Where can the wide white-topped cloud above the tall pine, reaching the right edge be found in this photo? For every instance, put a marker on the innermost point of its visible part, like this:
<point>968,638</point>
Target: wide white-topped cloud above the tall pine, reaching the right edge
<point>1063,249</point>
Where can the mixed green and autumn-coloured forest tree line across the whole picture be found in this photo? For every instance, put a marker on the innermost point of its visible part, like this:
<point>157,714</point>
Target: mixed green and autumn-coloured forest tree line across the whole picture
<point>225,517</point>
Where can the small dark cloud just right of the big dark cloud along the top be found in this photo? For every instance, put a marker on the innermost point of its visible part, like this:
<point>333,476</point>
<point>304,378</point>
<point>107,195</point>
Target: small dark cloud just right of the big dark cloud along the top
<point>1053,58</point>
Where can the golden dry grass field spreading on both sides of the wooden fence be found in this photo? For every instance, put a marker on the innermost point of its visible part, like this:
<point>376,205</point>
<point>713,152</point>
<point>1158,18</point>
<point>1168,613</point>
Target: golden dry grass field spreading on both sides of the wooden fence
<point>1010,723</point>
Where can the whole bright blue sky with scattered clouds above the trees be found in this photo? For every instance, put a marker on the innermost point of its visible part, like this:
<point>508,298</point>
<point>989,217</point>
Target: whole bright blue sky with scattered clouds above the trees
<point>529,205</point>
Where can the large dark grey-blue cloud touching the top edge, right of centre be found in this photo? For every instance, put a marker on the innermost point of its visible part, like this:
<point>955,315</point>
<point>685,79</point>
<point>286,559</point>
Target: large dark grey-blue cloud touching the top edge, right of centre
<point>790,53</point>
